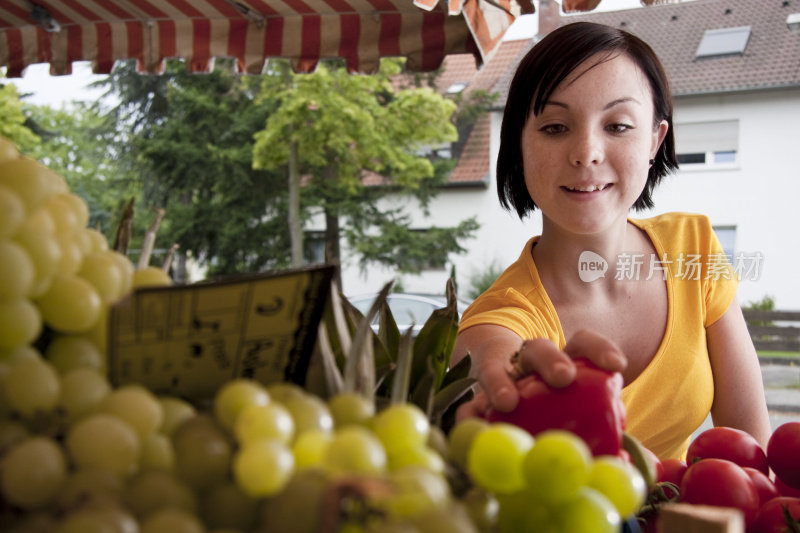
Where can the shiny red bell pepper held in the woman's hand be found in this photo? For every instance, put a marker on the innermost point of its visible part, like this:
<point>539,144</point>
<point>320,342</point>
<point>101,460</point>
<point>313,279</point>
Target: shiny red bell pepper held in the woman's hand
<point>590,407</point>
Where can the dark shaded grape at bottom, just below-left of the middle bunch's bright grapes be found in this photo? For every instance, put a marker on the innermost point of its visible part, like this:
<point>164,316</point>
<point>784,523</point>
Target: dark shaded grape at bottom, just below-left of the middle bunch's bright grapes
<point>226,506</point>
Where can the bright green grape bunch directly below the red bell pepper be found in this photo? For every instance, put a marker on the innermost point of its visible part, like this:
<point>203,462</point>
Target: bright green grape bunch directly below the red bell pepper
<point>550,483</point>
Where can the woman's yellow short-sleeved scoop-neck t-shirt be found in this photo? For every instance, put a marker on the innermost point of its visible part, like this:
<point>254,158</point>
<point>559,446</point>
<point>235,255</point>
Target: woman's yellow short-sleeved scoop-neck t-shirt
<point>673,395</point>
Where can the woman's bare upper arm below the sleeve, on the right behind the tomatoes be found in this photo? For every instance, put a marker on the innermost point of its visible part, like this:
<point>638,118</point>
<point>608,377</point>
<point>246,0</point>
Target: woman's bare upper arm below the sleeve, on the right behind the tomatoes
<point>738,387</point>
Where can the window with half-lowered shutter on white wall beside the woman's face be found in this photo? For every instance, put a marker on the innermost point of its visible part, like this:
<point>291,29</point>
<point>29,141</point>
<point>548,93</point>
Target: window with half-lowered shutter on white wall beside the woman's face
<point>707,144</point>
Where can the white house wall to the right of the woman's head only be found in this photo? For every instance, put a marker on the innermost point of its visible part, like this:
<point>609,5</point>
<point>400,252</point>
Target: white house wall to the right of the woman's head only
<point>761,196</point>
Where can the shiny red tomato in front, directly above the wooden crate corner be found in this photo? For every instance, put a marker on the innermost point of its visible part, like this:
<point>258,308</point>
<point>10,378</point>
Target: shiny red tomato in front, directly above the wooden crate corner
<point>722,483</point>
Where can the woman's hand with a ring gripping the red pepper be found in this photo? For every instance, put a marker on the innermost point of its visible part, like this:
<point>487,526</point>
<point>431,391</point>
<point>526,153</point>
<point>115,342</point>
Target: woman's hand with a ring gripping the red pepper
<point>497,373</point>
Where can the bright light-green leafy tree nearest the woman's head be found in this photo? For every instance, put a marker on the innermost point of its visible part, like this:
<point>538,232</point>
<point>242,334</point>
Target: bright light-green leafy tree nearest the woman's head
<point>337,129</point>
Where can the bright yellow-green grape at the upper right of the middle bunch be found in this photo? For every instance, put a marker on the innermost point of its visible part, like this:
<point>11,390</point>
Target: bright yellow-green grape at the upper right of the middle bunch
<point>401,426</point>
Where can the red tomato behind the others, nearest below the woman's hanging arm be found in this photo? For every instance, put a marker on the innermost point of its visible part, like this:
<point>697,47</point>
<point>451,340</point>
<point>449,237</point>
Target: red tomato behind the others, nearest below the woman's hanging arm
<point>731,444</point>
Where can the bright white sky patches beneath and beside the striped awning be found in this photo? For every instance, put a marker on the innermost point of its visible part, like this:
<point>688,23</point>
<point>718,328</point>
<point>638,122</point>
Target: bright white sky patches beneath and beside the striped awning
<point>59,91</point>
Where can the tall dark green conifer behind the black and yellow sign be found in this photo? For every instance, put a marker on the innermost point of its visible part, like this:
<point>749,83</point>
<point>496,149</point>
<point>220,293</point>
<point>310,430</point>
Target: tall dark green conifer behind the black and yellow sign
<point>191,137</point>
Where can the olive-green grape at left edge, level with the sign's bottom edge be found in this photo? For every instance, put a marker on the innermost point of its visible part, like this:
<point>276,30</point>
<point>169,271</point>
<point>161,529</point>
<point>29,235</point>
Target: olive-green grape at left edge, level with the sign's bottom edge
<point>32,386</point>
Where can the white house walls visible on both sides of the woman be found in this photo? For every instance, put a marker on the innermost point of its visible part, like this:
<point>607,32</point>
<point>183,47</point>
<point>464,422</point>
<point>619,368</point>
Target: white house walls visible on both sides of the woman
<point>761,197</point>
